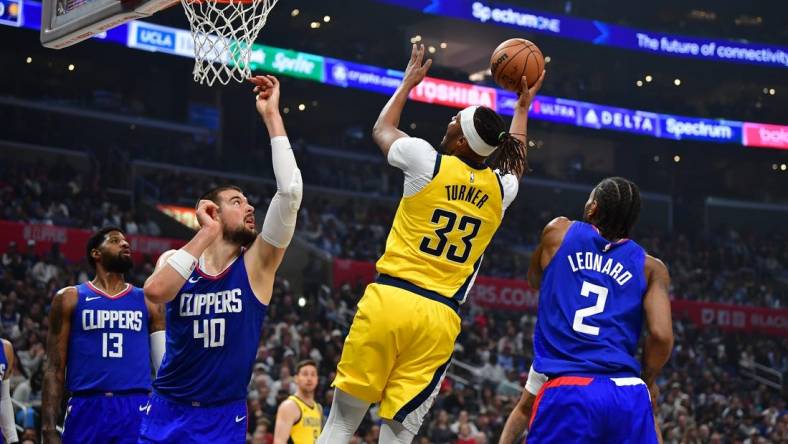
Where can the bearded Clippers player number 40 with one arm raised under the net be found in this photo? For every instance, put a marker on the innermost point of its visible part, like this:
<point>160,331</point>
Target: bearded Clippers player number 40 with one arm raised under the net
<point>217,289</point>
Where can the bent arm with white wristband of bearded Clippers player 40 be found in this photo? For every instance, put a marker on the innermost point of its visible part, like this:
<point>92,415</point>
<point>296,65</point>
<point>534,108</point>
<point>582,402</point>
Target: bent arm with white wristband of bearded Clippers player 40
<point>175,266</point>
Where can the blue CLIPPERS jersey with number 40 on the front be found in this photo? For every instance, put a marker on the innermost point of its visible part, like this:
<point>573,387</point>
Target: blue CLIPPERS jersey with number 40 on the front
<point>213,330</point>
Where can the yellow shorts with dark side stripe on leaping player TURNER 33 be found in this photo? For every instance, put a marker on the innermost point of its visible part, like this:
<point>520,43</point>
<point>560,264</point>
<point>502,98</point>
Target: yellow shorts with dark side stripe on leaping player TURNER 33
<point>397,351</point>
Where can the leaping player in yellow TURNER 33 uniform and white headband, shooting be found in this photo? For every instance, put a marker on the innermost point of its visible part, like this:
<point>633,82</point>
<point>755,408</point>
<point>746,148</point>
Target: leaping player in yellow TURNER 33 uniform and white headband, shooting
<point>403,335</point>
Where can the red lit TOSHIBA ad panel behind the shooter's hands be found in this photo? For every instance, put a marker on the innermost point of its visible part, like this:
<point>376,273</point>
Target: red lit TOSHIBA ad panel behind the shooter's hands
<point>453,94</point>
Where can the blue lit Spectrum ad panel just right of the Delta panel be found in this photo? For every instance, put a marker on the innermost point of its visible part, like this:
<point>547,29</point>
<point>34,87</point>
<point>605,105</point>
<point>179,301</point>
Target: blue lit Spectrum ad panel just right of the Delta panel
<point>707,130</point>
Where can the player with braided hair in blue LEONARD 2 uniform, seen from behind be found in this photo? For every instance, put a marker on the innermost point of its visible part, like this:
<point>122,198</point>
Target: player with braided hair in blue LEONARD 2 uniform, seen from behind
<point>597,287</point>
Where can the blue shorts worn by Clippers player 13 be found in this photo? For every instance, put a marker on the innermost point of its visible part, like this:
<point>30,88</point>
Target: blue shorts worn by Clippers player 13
<point>103,418</point>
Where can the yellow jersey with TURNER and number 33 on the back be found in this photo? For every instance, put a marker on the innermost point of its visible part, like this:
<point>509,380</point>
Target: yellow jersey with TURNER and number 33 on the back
<point>440,233</point>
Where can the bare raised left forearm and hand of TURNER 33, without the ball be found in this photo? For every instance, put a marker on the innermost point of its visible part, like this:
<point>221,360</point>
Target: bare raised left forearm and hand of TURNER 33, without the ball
<point>386,130</point>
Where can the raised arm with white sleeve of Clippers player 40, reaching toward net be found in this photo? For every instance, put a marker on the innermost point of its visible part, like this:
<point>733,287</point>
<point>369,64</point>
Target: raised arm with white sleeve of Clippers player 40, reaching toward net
<point>266,253</point>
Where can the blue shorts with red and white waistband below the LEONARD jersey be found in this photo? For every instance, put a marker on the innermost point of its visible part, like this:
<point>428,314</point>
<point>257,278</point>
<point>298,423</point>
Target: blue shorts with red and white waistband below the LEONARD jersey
<point>574,409</point>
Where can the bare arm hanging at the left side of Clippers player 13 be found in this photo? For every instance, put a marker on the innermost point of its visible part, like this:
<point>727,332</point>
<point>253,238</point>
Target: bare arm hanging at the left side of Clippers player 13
<point>60,312</point>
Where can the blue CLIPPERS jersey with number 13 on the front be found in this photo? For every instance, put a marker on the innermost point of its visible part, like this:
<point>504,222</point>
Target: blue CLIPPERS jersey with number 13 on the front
<point>108,349</point>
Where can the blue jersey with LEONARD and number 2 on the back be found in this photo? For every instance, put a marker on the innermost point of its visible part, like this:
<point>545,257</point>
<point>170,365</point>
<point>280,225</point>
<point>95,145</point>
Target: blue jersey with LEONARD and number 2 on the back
<point>590,306</point>
